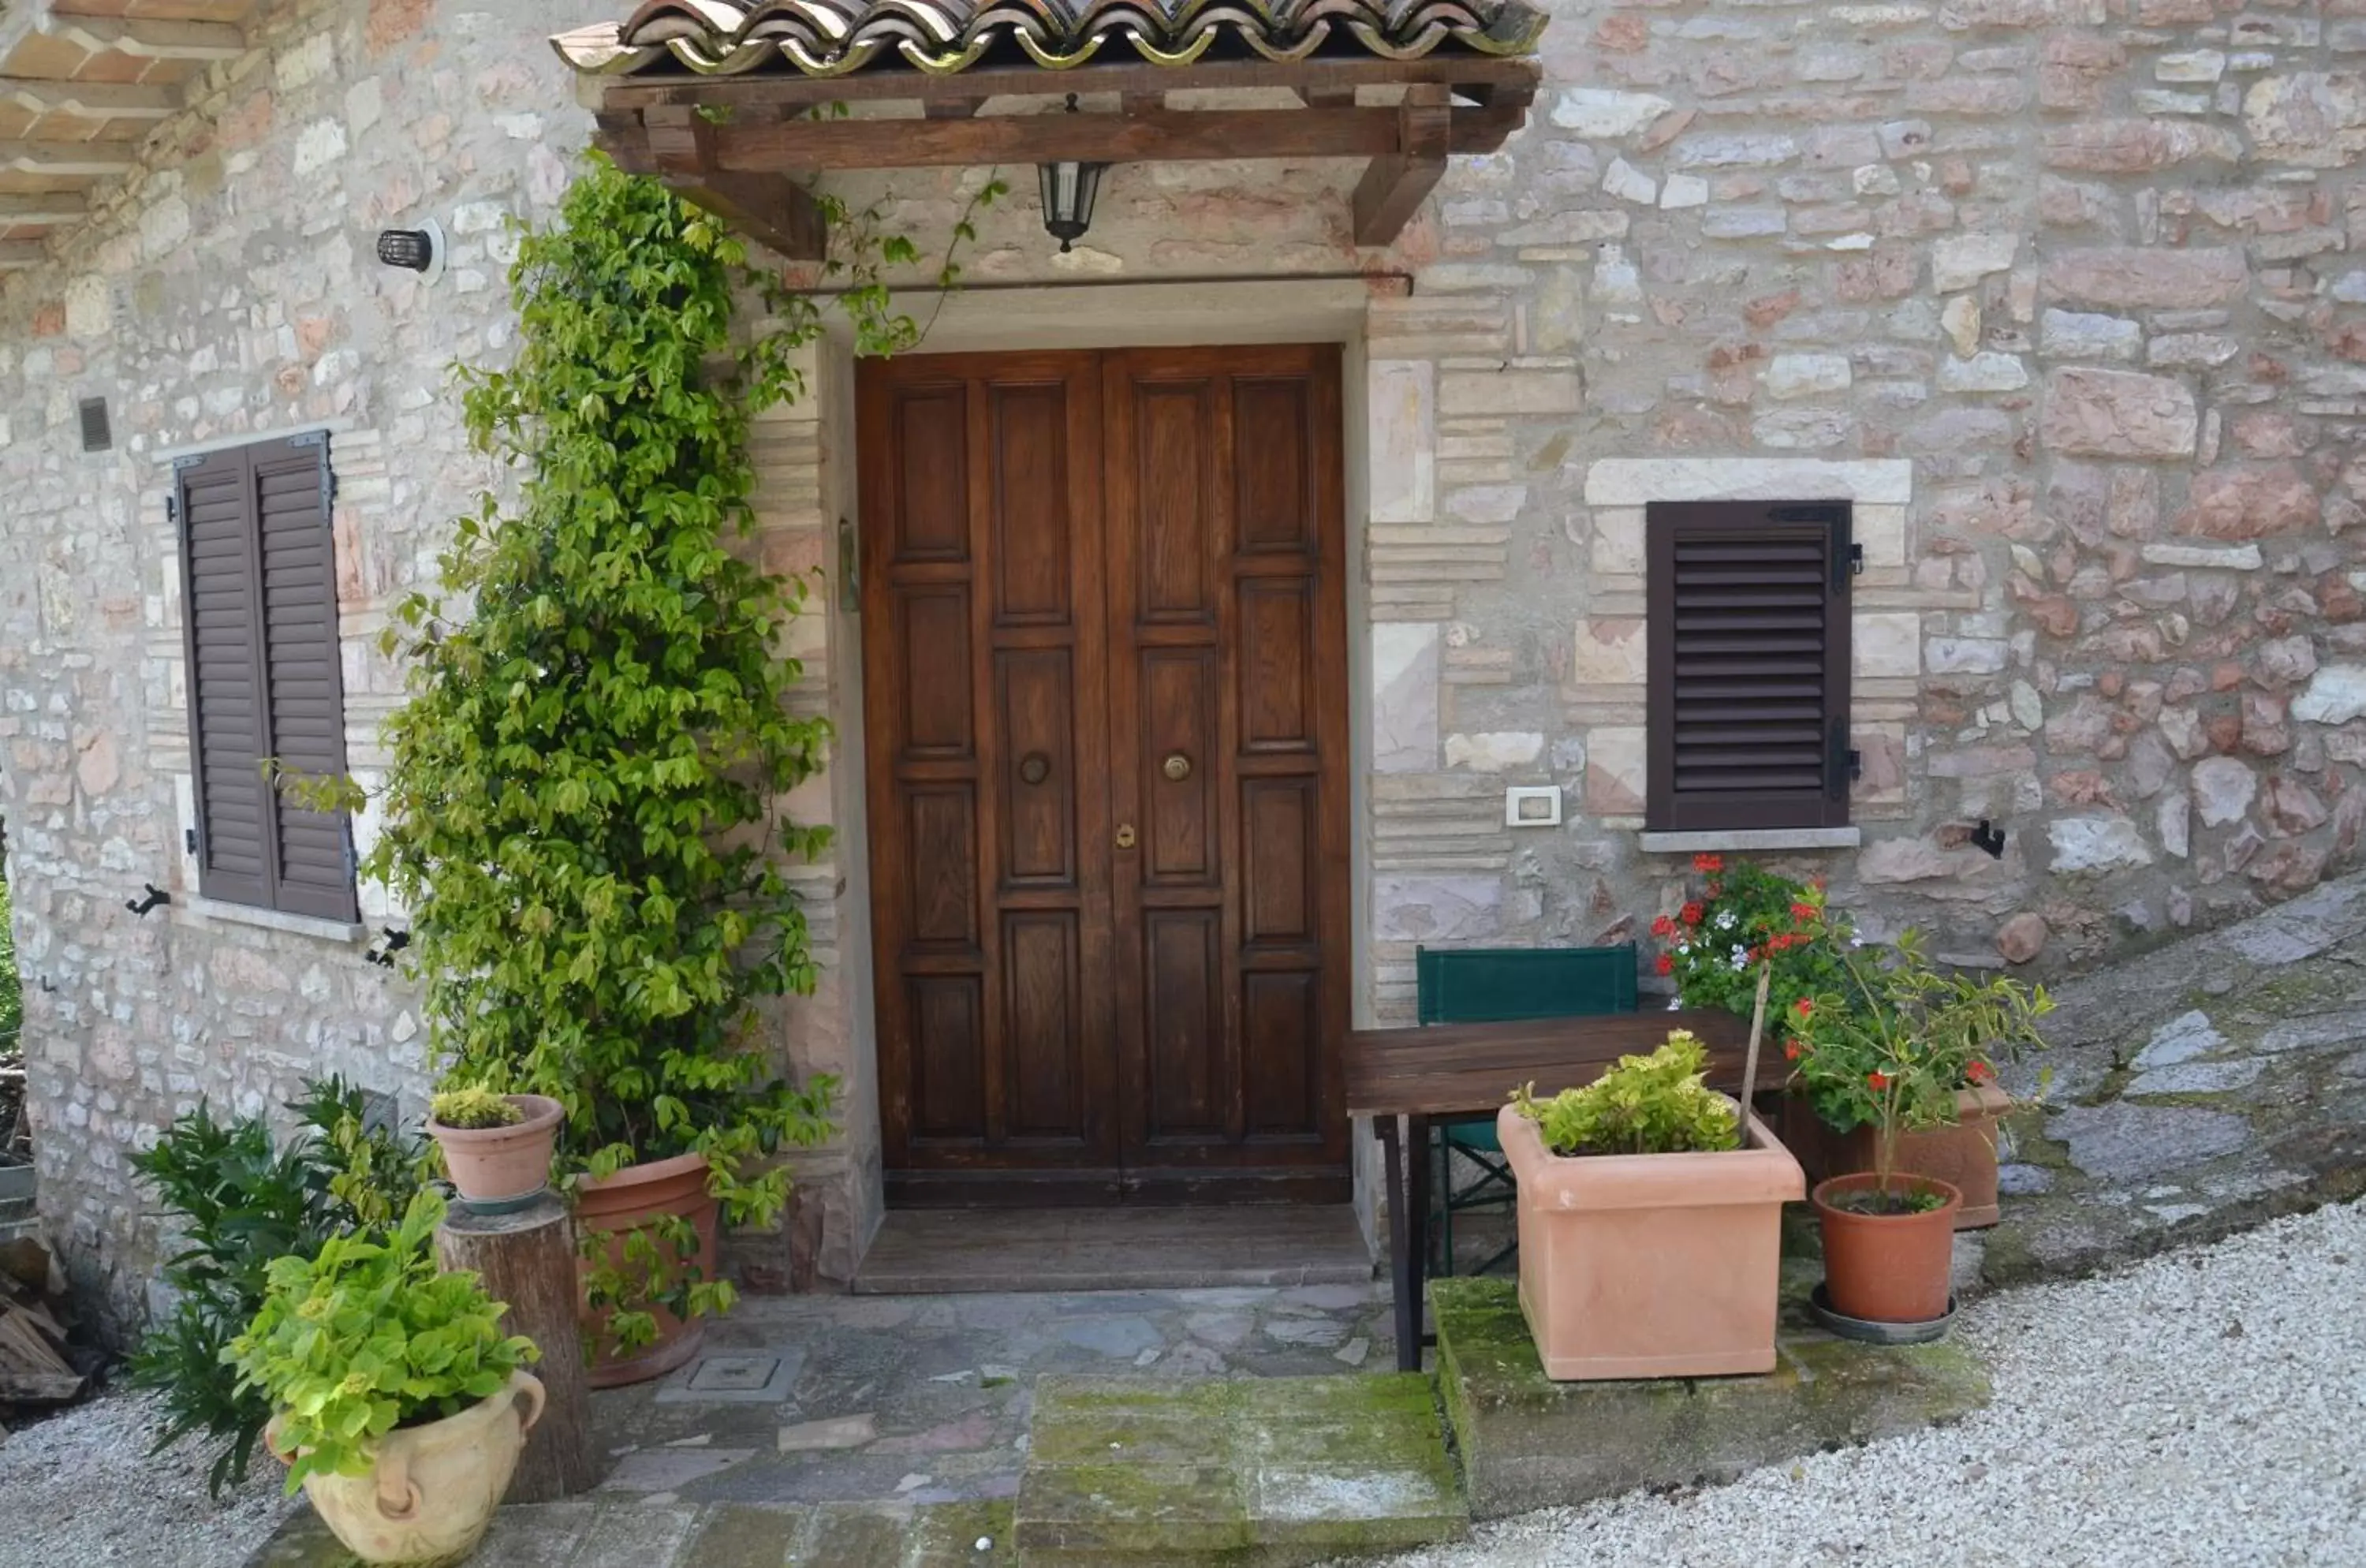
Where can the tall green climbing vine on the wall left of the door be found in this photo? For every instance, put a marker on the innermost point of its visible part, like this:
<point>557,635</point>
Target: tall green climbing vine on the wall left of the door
<point>583,796</point>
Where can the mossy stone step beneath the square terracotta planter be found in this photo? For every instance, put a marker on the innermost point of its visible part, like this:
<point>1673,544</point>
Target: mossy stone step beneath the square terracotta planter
<point>1532,1444</point>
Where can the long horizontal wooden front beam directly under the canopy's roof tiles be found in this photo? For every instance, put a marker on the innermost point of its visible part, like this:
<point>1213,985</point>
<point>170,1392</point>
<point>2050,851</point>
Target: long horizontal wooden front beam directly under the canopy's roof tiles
<point>1461,72</point>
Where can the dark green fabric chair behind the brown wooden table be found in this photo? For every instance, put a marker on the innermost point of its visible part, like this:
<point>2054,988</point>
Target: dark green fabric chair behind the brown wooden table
<point>1492,987</point>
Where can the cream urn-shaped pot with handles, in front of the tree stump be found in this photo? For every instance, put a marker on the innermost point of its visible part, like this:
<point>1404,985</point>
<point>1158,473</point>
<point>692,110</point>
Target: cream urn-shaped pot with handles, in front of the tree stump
<point>432,1494</point>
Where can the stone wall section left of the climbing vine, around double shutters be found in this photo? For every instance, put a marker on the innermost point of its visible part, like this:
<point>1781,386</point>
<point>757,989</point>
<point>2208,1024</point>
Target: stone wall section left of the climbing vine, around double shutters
<point>231,292</point>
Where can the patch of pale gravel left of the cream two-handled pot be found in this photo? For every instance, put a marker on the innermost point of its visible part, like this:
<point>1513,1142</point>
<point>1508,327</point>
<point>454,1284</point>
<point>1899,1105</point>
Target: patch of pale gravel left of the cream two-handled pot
<point>79,1491</point>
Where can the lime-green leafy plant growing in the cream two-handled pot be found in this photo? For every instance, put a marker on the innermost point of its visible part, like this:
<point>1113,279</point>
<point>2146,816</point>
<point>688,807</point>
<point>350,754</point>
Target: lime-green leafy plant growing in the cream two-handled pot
<point>368,1335</point>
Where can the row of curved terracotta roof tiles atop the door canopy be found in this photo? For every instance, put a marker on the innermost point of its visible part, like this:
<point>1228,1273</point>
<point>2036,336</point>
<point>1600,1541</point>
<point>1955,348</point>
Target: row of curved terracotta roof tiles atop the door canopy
<point>948,37</point>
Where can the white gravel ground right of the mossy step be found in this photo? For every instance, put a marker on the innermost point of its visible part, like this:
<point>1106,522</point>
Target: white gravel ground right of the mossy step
<point>2199,1408</point>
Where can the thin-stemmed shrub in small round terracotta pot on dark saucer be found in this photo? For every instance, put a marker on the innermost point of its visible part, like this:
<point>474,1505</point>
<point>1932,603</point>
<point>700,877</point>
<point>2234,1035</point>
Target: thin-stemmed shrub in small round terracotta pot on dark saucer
<point>1892,1056</point>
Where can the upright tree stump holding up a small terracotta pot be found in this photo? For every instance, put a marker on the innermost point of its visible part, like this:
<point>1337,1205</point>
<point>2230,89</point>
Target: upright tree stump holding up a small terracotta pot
<point>529,1262</point>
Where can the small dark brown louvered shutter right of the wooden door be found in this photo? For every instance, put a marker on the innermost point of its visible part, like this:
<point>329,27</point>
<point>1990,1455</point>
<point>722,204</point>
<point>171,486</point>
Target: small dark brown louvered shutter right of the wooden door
<point>1747,666</point>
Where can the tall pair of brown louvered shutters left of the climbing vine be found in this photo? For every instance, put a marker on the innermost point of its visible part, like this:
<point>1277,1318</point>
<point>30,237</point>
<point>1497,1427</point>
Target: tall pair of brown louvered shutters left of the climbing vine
<point>266,680</point>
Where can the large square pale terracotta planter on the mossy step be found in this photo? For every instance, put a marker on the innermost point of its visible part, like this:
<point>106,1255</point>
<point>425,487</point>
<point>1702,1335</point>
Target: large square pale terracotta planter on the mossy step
<point>1650,1264</point>
